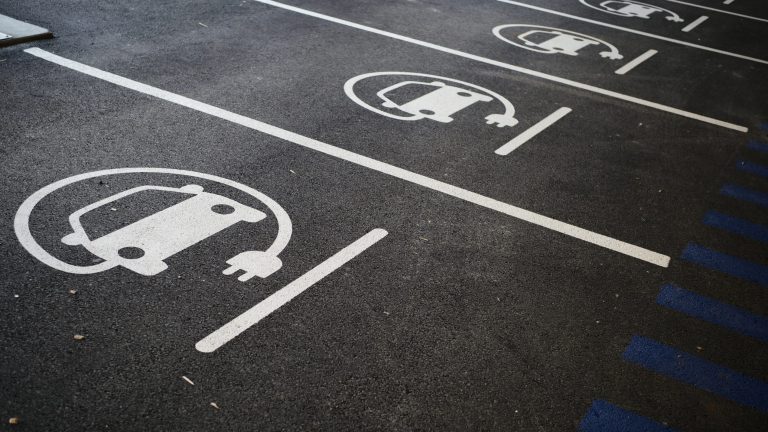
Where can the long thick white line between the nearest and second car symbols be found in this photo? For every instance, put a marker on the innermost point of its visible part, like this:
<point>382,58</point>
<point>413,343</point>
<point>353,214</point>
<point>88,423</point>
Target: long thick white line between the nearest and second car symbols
<point>427,182</point>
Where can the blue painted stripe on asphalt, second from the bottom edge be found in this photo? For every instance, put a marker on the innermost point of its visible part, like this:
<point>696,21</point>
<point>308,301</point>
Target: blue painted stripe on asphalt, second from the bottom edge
<point>696,371</point>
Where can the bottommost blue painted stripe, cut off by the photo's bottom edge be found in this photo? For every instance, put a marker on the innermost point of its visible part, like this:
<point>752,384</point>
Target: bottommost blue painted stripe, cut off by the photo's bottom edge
<point>606,417</point>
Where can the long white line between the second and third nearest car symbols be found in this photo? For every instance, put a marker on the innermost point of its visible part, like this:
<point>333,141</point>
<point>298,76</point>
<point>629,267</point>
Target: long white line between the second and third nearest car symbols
<point>519,69</point>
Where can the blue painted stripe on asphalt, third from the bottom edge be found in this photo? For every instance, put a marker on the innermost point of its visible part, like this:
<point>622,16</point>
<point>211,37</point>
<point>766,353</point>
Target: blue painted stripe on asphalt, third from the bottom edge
<point>711,310</point>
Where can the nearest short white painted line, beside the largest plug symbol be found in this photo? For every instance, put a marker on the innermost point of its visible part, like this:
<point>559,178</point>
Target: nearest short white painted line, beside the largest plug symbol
<point>249,318</point>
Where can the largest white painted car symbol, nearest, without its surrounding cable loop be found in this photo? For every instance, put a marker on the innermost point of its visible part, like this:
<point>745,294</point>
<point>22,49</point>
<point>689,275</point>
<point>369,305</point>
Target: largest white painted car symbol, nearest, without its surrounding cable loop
<point>143,245</point>
